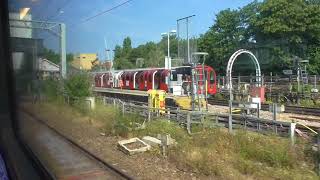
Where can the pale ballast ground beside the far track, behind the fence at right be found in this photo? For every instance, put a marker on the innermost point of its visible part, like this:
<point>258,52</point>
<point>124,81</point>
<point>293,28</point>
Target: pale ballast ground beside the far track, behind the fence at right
<point>280,117</point>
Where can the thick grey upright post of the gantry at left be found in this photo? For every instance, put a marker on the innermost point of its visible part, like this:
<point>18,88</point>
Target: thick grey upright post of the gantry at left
<point>63,68</point>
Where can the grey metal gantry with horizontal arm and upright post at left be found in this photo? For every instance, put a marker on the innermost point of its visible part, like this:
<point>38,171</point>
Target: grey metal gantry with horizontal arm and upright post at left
<point>49,26</point>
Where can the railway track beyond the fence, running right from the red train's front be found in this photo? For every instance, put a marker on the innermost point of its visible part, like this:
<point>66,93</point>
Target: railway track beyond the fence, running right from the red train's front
<point>288,109</point>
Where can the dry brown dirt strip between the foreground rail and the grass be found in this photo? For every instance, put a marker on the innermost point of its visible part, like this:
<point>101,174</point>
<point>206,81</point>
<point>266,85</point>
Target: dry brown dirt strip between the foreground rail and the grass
<point>141,166</point>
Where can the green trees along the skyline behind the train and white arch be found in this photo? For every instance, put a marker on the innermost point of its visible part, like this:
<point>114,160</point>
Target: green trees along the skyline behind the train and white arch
<point>274,30</point>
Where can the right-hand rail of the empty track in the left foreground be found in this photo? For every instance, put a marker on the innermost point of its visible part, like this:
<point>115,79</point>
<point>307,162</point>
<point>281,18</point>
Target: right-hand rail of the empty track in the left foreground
<point>113,172</point>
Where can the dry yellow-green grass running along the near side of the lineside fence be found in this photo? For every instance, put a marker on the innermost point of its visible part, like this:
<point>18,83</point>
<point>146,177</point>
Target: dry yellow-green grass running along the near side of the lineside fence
<point>210,152</point>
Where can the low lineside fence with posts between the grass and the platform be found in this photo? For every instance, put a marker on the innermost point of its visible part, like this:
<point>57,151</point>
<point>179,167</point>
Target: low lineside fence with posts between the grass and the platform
<point>193,119</point>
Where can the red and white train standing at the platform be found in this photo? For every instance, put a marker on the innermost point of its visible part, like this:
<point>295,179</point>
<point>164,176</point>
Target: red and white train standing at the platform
<point>176,81</point>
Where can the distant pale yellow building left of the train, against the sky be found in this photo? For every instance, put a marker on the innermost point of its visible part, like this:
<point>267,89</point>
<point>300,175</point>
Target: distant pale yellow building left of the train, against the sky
<point>85,61</point>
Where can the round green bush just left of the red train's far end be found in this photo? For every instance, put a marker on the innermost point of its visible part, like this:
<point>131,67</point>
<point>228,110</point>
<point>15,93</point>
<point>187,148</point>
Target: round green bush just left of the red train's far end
<point>77,86</point>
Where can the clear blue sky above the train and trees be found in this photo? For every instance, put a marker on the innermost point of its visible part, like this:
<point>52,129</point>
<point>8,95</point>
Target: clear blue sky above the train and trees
<point>141,20</point>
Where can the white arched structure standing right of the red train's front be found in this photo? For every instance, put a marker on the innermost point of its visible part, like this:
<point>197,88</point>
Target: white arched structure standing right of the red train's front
<point>233,59</point>
